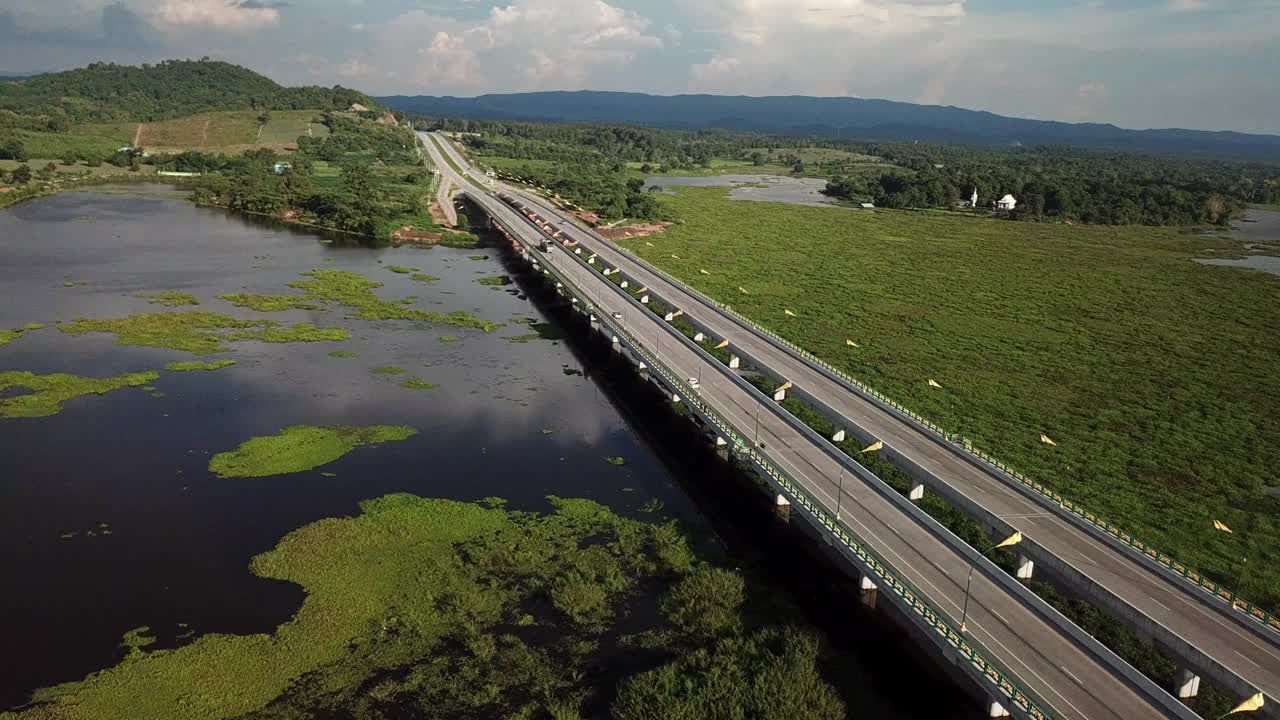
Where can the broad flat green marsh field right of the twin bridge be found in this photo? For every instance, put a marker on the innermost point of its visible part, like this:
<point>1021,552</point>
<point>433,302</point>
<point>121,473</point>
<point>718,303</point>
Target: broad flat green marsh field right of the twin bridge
<point>1155,376</point>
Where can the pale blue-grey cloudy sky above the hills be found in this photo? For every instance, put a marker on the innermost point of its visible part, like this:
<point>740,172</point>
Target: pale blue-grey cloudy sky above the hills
<point>1205,65</point>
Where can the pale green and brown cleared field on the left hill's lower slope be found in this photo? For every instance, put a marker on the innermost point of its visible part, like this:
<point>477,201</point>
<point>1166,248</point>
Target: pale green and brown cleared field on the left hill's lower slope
<point>226,131</point>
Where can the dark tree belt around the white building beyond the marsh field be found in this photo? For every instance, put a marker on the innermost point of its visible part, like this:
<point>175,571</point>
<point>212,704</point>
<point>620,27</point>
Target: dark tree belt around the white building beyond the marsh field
<point>1063,184</point>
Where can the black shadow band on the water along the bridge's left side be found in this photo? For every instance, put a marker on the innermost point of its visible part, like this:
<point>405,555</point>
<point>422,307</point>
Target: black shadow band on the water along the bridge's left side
<point>880,669</point>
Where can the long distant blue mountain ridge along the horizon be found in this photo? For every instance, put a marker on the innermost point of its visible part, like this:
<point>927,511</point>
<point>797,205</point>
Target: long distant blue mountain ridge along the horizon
<point>881,121</point>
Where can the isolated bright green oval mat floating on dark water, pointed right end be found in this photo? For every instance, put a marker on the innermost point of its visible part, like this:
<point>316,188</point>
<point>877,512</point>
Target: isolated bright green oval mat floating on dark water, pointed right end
<point>300,448</point>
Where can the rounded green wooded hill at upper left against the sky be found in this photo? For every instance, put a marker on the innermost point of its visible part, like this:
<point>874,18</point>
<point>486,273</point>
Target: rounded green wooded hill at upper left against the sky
<point>111,93</point>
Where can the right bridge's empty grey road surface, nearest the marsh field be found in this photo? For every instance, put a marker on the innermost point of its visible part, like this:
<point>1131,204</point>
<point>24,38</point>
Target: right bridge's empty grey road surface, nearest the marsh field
<point>1171,604</point>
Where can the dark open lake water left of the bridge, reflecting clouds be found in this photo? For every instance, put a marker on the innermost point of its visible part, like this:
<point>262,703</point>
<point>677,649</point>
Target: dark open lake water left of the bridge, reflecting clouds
<point>181,540</point>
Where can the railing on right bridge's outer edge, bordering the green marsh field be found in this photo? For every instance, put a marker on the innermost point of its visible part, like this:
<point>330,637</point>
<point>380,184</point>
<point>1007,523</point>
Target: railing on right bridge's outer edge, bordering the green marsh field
<point>962,445</point>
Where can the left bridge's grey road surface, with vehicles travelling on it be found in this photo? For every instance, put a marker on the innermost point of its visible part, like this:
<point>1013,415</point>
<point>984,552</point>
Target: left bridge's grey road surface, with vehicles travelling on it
<point>1066,678</point>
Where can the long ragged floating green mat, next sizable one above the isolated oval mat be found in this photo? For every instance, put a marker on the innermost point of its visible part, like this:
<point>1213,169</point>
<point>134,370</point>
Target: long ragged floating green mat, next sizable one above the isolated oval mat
<point>196,331</point>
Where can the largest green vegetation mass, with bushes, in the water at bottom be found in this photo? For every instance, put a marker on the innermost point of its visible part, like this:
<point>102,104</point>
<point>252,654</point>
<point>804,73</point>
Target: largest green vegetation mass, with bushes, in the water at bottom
<point>442,609</point>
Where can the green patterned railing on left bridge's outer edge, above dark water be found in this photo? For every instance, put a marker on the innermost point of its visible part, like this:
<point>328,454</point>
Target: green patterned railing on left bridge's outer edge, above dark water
<point>888,577</point>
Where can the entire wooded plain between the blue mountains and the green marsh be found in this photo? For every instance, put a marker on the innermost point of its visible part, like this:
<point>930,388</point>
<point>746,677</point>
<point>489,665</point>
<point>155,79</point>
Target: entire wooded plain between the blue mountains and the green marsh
<point>587,163</point>
